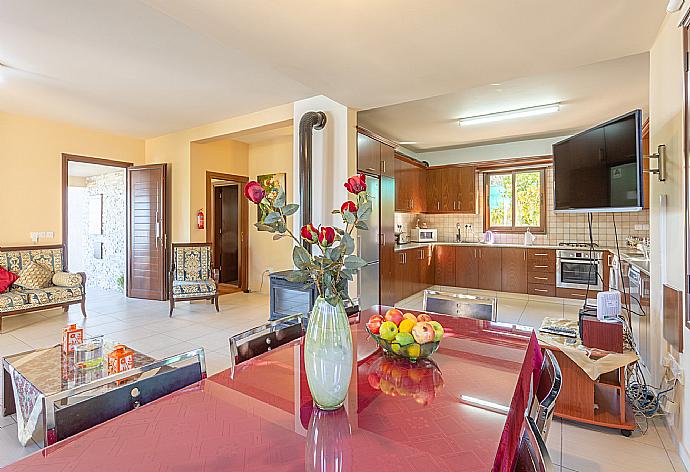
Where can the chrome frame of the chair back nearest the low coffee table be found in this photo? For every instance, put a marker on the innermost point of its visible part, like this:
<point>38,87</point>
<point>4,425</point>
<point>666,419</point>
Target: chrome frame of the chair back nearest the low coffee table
<point>49,401</point>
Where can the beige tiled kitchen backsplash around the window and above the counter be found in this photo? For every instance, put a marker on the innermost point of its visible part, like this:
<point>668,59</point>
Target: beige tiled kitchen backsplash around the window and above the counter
<point>559,226</point>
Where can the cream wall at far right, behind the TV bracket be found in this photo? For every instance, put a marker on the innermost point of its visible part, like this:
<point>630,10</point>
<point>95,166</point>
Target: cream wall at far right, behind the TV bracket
<point>666,100</point>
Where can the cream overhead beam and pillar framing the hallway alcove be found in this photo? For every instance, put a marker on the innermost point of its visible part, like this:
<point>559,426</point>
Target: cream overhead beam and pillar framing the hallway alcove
<point>175,148</point>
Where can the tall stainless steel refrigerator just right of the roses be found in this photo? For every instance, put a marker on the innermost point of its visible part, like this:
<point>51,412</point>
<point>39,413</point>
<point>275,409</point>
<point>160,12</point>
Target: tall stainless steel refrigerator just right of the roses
<point>368,249</point>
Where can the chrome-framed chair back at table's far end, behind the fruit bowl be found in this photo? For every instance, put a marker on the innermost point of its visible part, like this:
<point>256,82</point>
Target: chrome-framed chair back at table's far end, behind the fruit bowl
<point>456,304</point>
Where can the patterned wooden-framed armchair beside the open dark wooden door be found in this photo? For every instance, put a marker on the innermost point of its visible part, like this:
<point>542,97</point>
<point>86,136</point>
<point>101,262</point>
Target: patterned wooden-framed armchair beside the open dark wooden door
<point>192,276</point>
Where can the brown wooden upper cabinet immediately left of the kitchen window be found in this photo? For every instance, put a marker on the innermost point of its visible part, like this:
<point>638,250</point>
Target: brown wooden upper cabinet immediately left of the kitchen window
<point>451,190</point>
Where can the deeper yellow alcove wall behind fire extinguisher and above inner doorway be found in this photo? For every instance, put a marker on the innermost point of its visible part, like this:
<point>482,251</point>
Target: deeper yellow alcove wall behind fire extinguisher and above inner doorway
<point>226,156</point>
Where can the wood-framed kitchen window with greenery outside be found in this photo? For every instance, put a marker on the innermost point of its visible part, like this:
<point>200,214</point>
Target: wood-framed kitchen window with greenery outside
<point>514,201</point>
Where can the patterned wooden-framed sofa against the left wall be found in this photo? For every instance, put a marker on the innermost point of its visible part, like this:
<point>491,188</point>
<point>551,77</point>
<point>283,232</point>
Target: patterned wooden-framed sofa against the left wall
<point>69,290</point>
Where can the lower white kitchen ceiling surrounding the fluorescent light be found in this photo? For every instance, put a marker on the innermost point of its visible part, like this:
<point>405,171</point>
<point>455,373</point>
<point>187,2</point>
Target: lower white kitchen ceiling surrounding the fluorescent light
<point>588,95</point>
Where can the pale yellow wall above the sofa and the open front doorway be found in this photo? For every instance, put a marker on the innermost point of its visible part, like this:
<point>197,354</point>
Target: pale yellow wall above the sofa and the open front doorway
<point>31,169</point>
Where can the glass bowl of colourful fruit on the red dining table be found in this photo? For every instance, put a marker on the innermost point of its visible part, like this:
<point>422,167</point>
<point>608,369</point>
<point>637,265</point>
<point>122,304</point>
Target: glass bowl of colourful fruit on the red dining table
<point>405,336</point>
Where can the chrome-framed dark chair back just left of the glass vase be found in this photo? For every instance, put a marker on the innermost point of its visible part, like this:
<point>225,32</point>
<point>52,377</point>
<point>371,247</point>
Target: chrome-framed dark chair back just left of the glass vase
<point>255,341</point>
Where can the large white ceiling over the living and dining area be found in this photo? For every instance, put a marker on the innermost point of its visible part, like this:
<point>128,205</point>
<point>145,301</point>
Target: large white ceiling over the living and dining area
<point>149,67</point>
